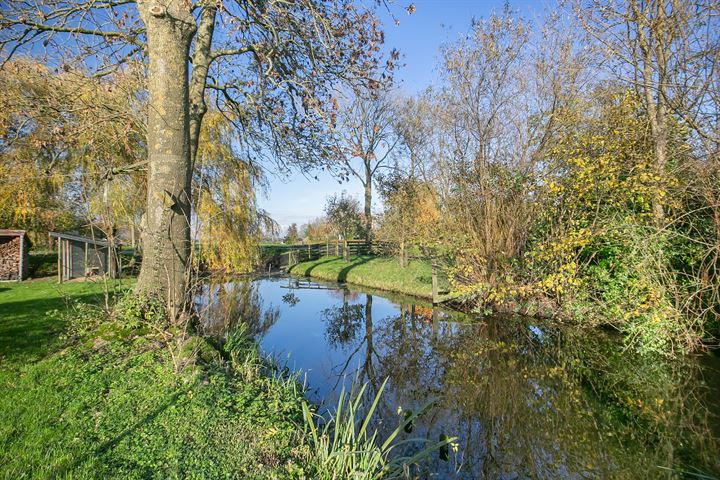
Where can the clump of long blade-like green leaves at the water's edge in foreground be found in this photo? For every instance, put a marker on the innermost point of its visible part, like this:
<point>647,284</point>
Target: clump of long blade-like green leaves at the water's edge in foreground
<point>343,446</point>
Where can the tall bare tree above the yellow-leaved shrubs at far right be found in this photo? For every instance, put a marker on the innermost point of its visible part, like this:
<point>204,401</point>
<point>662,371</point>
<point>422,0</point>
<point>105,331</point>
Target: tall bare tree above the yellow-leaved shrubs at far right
<point>666,51</point>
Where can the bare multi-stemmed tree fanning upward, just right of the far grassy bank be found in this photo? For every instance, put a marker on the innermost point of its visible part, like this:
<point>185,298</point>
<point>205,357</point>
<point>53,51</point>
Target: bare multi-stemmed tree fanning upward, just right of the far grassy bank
<point>503,88</point>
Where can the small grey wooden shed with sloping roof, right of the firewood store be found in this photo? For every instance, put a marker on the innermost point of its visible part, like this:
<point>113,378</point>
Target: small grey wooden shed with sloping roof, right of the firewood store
<point>80,257</point>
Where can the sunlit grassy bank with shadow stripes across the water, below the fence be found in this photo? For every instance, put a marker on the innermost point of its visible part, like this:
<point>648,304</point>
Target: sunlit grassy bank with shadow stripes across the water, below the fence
<point>375,272</point>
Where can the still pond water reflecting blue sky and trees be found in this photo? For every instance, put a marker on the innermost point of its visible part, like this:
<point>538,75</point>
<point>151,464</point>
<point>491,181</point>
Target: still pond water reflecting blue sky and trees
<point>525,400</point>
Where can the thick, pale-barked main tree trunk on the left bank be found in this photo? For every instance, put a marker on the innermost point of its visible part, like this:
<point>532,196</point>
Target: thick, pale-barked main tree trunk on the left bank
<point>166,234</point>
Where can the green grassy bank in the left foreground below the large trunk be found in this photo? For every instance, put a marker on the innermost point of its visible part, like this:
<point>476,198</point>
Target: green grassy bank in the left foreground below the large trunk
<point>84,397</point>
